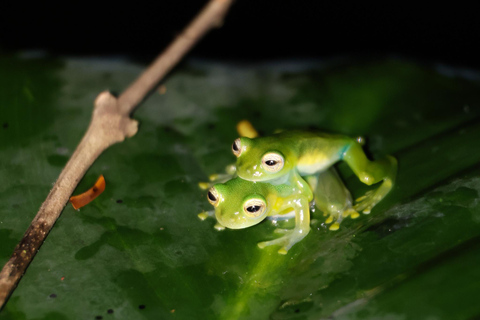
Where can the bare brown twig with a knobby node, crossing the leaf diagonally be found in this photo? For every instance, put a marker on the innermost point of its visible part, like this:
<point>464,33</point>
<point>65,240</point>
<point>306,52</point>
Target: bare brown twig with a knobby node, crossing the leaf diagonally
<point>110,123</point>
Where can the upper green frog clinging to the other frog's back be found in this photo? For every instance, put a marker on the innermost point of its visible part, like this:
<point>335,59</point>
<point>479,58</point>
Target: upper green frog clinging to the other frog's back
<point>284,157</point>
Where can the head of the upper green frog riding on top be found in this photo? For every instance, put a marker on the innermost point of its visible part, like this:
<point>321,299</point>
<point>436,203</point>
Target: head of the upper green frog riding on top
<point>264,158</point>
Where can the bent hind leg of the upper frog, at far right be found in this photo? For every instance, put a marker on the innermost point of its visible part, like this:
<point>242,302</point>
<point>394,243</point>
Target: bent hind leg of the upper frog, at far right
<point>370,172</point>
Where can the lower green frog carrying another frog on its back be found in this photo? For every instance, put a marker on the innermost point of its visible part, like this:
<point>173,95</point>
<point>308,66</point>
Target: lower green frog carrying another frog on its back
<point>240,203</point>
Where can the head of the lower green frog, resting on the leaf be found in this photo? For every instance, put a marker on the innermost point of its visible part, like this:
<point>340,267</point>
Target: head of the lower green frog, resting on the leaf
<point>239,203</point>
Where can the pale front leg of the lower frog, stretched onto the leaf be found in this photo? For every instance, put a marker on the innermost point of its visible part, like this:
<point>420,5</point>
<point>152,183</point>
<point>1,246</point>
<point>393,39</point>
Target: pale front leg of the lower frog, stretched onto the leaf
<point>301,229</point>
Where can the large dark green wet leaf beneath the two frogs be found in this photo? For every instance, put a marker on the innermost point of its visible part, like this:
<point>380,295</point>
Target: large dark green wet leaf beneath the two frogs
<point>139,250</point>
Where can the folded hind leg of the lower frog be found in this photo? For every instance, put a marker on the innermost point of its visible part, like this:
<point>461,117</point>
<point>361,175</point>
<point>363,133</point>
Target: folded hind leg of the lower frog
<point>332,197</point>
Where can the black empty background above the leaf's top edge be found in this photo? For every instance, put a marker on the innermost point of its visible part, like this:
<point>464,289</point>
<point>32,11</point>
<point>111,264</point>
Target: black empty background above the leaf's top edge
<point>253,30</point>
